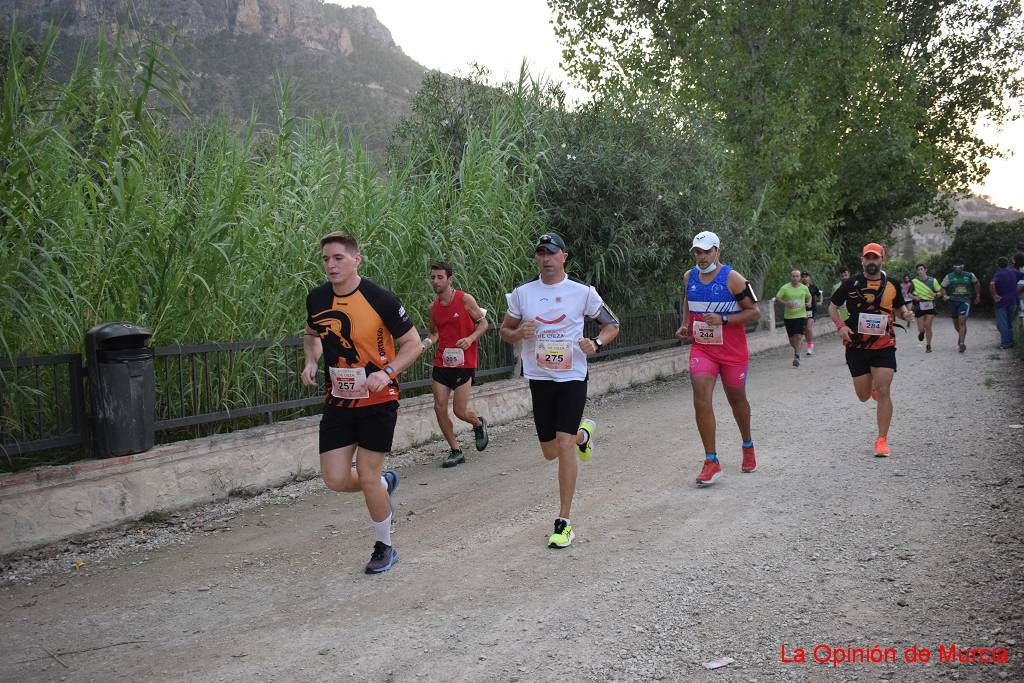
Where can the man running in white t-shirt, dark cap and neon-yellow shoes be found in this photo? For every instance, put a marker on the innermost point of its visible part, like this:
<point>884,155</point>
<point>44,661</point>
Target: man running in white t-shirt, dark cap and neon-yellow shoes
<point>547,317</point>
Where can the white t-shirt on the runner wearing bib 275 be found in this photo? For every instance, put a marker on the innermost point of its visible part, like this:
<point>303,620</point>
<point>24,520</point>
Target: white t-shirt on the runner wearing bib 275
<point>559,311</point>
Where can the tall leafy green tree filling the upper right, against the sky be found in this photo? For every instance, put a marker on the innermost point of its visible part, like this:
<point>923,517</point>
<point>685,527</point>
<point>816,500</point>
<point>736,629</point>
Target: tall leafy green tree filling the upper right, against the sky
<point>839,119</point>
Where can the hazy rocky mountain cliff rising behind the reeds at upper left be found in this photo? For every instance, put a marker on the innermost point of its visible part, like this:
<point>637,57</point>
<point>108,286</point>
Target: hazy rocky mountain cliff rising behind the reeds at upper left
<point>342,60</point>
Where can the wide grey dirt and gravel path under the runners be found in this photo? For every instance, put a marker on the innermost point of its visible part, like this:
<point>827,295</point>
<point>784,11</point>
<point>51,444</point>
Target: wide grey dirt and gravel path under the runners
<point>824,545</point>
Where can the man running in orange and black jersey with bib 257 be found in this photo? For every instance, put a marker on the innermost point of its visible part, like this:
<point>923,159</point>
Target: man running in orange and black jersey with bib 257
<point>355,323</point>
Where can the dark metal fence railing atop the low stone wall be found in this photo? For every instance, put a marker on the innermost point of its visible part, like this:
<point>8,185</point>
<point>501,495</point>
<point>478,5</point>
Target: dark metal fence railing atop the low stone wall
<point>44,400</point>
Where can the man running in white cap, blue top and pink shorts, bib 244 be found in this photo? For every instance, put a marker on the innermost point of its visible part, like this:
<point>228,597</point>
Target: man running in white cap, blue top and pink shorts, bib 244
<point>718,305</point>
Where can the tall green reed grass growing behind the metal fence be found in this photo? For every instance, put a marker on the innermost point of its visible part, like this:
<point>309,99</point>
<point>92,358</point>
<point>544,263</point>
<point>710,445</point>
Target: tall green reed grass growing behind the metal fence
<point>211,233</point>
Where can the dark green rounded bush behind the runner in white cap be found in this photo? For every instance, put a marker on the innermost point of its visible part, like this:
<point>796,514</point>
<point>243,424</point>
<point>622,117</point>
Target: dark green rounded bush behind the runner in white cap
<point>629,193</point>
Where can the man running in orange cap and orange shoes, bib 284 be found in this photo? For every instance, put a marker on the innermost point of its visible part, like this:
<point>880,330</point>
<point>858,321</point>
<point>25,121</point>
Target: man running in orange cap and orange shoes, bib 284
<point>872,300</point>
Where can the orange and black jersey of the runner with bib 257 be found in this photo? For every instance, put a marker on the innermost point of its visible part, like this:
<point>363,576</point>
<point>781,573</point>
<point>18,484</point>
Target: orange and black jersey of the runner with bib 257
<point>358,330</point>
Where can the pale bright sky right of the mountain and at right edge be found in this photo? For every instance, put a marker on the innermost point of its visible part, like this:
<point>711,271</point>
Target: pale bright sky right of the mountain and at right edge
<point>450,35</point>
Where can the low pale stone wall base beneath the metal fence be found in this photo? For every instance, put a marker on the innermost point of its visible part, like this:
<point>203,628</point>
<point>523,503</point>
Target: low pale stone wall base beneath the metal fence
<point>54,503</point>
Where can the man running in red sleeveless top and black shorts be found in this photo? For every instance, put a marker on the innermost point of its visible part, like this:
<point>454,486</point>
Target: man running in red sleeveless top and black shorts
<point>456,325</point>
